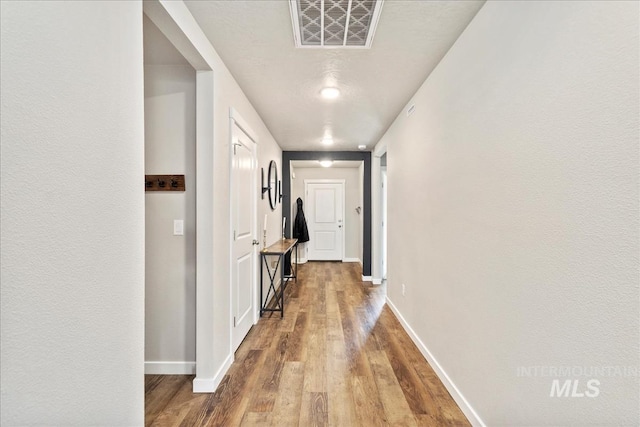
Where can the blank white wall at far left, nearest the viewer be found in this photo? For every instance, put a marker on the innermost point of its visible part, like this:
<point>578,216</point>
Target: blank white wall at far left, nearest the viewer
<point>72,295</point>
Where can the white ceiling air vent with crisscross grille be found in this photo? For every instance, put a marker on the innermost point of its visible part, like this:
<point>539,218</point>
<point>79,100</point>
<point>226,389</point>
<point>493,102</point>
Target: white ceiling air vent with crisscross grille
<point>334,23</point>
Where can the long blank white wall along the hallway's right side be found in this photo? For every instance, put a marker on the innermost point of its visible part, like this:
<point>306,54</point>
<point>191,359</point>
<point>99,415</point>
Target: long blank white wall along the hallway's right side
<point>513,210</point>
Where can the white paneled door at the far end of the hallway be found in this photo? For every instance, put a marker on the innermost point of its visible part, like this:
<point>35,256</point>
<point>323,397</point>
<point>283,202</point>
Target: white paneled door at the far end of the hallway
<point>325,202</point>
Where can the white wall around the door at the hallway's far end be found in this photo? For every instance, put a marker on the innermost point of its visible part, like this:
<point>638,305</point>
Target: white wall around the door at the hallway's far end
<point>353,188</point>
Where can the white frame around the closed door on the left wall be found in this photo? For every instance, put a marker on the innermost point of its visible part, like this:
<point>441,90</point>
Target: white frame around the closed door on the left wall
<point>236,119</point>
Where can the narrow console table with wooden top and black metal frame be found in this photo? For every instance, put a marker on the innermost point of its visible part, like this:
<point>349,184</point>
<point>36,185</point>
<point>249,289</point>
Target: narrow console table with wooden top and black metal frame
<point>279,249</point>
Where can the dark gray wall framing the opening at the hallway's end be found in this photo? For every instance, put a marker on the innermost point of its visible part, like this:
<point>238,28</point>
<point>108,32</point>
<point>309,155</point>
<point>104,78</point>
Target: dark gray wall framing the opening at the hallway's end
<point>288,156</point>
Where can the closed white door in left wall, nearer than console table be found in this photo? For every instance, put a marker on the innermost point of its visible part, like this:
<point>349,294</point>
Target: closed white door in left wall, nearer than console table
<point>243,214</point>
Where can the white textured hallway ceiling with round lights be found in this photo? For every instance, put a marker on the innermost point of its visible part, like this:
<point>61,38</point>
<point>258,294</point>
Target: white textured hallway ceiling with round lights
<point>255,40</point>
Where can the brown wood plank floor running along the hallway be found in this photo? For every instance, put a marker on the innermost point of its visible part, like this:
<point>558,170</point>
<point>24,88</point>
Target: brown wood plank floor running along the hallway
<point>339,357</point>
